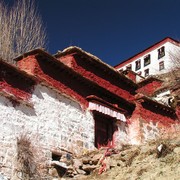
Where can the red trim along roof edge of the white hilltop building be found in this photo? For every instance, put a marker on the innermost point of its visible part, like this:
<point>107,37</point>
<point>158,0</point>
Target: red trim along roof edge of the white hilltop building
<point>147,50</point>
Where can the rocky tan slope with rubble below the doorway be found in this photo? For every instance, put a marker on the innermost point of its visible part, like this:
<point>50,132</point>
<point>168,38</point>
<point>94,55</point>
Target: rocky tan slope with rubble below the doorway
<point>154,160</point>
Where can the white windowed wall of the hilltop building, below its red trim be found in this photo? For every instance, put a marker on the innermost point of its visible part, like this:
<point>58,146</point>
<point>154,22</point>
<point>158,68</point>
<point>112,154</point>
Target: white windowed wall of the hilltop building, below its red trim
<point>170,51</point>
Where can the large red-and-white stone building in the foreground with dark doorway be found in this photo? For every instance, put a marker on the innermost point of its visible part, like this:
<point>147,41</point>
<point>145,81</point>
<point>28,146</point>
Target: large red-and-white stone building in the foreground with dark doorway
<point>76,102</point>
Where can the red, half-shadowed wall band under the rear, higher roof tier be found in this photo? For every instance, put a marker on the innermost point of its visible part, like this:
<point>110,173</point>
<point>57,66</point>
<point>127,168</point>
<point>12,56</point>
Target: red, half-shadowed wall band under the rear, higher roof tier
<point>99,76</point>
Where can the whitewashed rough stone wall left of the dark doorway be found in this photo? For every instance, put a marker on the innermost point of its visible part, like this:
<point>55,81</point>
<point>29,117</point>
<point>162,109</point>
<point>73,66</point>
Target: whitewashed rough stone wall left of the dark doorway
<point>55,121</point>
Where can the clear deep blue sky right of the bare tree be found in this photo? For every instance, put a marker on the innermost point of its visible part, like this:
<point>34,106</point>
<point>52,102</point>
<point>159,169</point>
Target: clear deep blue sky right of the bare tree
<point>113,30</point>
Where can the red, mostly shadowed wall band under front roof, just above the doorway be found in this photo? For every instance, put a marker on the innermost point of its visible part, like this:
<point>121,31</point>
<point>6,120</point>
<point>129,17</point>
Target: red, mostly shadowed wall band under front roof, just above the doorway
<point>67,81</point>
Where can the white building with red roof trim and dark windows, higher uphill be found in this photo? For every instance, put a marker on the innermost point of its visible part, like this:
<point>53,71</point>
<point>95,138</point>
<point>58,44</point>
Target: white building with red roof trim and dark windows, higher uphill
<point>156,59</point>
